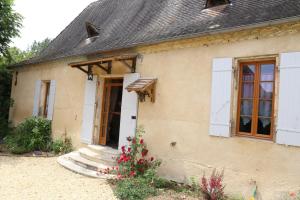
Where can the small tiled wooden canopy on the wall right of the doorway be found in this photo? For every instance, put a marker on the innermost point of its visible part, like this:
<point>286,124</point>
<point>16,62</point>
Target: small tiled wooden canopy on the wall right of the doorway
<point>143,87</point>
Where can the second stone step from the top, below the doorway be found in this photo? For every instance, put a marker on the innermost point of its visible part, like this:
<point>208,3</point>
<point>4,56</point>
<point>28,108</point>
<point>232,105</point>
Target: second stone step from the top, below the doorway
<point>99,158</point>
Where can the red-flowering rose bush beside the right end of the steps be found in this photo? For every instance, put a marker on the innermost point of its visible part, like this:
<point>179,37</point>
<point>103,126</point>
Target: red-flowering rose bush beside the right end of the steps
<point>134,159</point>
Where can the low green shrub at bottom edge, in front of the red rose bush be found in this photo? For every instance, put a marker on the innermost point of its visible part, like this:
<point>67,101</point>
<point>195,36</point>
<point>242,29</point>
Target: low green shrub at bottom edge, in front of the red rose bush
<point>134,188</point>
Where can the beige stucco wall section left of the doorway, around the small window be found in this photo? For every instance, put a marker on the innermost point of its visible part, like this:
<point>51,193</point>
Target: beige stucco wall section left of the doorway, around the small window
<point>68,98</point>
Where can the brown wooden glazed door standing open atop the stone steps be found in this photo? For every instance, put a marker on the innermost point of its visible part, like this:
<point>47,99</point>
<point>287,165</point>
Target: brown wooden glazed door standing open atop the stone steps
<point>109,109</point>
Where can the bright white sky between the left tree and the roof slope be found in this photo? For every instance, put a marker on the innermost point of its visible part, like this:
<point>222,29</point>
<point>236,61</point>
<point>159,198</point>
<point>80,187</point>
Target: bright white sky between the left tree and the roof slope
<point>45,18</point>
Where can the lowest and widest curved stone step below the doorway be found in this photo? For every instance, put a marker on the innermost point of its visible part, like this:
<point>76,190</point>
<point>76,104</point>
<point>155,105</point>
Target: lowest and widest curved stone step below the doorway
<point>69,163</point>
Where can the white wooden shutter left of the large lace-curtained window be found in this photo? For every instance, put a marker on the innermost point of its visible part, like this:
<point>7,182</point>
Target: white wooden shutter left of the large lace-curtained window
<point>221,97</point>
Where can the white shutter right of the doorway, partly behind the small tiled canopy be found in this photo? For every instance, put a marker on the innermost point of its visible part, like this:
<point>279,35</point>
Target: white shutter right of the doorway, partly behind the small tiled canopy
<point>128,110</point>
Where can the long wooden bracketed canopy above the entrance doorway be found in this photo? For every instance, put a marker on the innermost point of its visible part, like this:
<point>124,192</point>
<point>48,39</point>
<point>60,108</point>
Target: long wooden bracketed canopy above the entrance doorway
<point>105,63</point>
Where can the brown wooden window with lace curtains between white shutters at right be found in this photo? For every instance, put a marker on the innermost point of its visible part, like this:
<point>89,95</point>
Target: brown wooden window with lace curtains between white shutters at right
<point>256,99</point>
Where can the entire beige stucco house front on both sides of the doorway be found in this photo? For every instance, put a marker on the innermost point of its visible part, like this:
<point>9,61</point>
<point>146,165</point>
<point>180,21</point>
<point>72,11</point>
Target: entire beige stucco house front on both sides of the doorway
<point>182,109</point>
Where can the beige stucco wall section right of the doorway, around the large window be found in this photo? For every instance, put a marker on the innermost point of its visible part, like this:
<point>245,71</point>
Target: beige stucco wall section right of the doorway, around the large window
<point>181,114</point>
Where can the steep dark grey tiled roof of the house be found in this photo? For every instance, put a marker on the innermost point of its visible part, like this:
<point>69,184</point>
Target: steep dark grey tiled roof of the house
<point>128,23</point>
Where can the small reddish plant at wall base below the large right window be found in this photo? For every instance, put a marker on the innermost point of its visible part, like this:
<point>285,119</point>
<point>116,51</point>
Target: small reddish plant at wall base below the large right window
<point>213,188</point>
